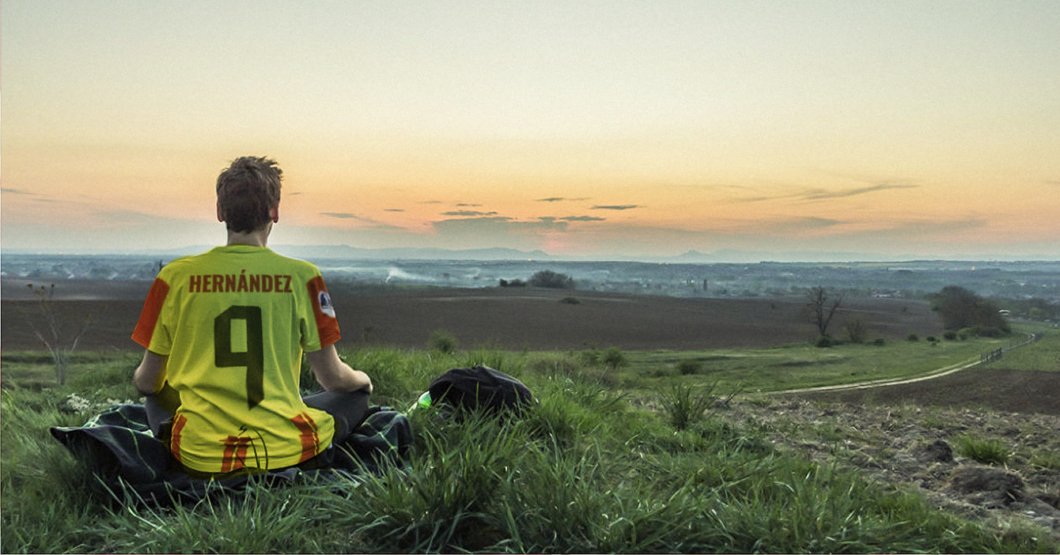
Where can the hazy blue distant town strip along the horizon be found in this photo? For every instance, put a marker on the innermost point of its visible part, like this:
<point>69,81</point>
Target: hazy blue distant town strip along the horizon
<point>1016,281</point>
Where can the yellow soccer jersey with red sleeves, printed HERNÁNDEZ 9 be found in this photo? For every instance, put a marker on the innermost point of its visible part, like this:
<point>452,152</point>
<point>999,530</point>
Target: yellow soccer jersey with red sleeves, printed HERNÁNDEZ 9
<point>234,323</point>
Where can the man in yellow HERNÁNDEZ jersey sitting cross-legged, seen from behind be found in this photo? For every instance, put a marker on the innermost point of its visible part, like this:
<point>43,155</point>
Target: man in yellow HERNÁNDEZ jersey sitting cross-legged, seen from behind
<point>225,332</point>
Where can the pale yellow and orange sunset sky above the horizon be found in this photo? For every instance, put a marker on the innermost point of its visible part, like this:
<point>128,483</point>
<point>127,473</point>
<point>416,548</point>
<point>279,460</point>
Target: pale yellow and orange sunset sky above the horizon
<point>598,130</point>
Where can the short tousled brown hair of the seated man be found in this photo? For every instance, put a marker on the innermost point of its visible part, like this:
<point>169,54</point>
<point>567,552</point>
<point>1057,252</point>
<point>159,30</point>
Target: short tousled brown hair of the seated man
<point>246,191</point>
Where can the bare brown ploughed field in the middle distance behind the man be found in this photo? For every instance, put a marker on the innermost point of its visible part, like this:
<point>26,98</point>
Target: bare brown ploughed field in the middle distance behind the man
<point>509,318</point>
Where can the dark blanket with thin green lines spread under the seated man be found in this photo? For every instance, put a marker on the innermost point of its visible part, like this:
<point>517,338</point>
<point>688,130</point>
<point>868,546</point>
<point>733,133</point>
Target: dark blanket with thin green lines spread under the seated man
<point>123,454</point>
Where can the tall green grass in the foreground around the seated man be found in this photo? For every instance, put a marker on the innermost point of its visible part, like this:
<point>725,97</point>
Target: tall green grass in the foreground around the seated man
<point>587,471</point>
